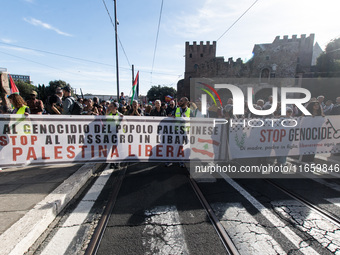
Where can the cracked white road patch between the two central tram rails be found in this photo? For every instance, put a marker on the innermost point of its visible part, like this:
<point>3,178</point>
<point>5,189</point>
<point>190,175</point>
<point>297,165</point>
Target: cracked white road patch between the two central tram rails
<point>163,232</point>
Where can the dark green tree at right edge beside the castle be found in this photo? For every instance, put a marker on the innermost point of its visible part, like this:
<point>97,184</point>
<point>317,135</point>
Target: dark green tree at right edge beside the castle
<point>328,62</point>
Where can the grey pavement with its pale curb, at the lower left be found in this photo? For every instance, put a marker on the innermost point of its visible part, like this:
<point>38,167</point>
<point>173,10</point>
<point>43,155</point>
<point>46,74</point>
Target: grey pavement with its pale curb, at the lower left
<point>31,197</point>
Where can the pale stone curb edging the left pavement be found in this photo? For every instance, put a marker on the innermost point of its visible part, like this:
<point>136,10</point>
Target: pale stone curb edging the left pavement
<point>22,234</point>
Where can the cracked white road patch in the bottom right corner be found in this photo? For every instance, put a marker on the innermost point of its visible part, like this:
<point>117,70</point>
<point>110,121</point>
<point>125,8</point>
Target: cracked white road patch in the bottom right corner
<point>323,230</point>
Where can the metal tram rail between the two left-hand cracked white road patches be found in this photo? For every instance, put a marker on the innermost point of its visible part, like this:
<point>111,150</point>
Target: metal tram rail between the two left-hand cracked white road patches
<point>226,240</point>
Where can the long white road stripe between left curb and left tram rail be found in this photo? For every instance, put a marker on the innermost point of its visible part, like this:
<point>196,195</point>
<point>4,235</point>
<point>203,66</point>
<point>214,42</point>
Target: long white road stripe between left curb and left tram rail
<point>65,234</point>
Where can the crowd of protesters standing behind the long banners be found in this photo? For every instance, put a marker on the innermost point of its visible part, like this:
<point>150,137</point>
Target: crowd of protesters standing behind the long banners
<point>62,103</point>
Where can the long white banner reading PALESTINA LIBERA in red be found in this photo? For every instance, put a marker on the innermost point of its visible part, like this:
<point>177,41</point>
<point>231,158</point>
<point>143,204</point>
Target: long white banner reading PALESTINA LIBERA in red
<point>45,139</point>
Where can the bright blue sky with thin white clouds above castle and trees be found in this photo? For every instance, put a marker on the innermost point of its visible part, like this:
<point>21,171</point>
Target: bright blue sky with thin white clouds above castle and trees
<point>73,40</point>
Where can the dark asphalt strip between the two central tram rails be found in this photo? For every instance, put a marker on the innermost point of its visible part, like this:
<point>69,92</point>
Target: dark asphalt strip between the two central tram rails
<point>157,211</point>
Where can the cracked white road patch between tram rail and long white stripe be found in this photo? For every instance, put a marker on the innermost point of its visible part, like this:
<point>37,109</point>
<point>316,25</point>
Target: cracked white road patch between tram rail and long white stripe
<point>247,234</point>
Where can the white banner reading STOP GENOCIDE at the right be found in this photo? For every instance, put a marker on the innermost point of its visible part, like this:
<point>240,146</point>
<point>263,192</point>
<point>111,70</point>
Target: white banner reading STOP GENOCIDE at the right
<point>284,137</point>
